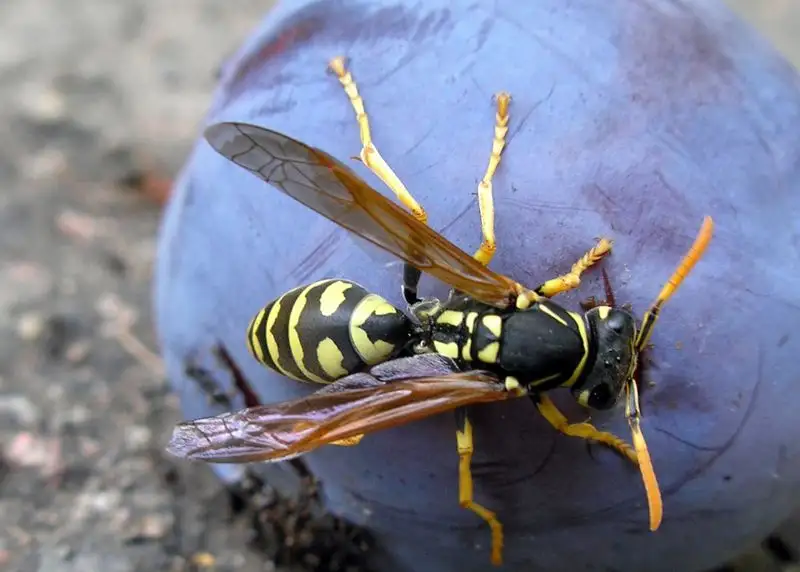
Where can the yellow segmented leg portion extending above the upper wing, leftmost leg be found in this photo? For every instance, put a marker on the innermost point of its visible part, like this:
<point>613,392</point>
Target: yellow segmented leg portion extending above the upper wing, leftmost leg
<point>369,153</point>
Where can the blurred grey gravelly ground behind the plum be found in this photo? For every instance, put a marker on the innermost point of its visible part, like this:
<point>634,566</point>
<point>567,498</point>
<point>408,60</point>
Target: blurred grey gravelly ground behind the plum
<point>100,103</point>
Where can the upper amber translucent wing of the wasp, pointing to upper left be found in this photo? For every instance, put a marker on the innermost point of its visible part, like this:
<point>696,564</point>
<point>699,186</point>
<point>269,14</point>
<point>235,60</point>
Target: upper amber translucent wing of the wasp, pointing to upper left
<point>330,188</point>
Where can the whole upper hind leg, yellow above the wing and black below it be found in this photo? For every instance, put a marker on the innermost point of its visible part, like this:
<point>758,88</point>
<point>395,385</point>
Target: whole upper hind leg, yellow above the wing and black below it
<point>374,161</point>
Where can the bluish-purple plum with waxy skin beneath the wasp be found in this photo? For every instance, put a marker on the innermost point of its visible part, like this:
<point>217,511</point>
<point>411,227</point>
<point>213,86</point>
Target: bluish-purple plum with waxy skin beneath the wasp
<point>631,120</point>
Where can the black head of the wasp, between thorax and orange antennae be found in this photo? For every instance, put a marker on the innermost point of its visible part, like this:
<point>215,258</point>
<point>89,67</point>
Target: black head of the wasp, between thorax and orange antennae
<point>614,333</point>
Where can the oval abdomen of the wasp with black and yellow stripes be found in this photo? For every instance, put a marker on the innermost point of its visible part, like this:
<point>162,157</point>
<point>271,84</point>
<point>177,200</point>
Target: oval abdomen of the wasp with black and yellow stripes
<point>326,330</point>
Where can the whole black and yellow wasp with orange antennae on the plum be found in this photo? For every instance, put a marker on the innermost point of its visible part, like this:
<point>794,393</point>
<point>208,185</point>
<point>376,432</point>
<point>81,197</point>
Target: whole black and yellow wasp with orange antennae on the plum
<point>492,339</point>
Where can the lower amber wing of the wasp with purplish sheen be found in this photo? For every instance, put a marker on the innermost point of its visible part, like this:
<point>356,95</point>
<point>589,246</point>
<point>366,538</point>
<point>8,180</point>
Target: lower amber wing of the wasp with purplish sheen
<point>362,404</point>
